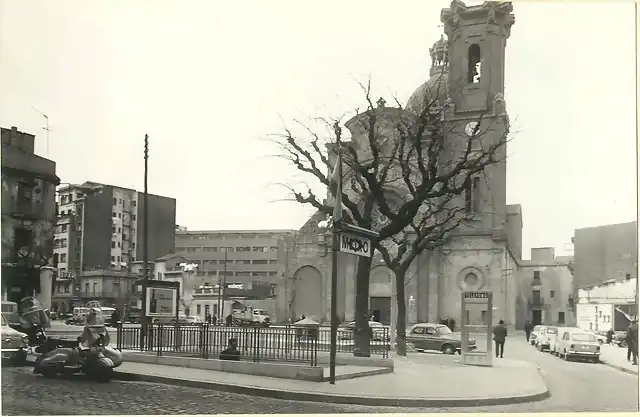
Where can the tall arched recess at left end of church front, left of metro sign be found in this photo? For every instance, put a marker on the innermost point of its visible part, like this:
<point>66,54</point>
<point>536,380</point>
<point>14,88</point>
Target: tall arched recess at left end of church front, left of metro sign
<point>306,297</point>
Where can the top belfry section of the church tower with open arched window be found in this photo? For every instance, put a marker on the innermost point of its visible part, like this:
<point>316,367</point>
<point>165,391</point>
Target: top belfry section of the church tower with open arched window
<point>477,42</point>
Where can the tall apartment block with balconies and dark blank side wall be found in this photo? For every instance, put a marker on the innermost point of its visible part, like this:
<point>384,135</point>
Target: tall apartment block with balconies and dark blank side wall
<point>100,227</point>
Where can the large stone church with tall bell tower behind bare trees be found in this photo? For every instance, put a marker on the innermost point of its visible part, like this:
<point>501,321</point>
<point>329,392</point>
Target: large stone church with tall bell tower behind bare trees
<point>467,76</point>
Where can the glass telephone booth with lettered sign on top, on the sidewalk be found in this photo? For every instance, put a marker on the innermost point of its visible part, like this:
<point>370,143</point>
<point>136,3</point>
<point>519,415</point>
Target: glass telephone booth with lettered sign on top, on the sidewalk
<point>476,315</point>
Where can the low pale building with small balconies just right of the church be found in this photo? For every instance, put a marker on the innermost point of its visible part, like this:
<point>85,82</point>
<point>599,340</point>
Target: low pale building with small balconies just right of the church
<point>545,289</point>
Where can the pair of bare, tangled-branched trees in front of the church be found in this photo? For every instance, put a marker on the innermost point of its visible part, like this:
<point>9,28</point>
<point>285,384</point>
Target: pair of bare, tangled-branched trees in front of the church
<point>409,176</point>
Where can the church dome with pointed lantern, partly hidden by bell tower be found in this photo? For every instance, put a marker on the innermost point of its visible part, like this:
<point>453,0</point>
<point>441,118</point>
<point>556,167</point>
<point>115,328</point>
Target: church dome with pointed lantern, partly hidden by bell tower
<point>437,88</point>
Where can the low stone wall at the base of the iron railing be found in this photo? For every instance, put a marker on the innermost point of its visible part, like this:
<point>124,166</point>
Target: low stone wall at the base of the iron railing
<point>274,370</point>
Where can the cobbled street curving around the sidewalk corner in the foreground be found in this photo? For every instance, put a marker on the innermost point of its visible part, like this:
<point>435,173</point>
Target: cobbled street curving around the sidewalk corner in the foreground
<point>575,387</point>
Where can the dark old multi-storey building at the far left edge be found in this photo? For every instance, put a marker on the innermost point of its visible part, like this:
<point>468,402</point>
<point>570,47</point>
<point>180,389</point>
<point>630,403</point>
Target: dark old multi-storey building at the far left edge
<point>28,218</point>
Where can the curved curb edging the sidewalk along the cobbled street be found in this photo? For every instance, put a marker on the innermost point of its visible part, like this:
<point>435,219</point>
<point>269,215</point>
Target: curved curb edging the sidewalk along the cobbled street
<point>324,397</point>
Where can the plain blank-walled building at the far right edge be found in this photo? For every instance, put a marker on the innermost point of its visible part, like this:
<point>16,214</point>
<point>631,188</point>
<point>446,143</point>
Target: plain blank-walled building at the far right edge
<point>605,252</point>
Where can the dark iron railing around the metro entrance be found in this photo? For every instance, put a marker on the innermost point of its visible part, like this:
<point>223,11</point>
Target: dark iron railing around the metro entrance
<point>287,343</point>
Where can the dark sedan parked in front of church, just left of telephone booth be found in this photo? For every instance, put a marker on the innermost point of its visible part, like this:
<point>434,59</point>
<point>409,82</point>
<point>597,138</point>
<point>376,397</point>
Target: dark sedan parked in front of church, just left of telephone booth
<point>429,336</point>
